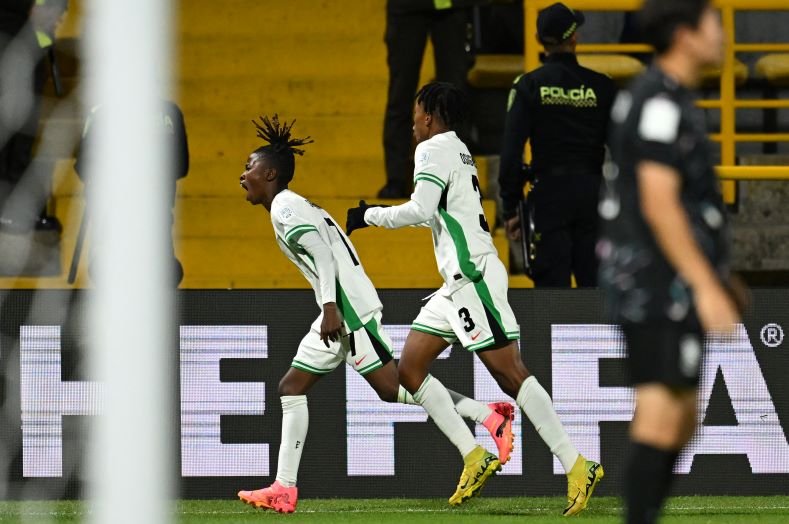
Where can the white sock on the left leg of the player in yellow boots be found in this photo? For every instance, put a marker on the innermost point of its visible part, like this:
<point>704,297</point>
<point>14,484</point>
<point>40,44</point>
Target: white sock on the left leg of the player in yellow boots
<point>434,398</point>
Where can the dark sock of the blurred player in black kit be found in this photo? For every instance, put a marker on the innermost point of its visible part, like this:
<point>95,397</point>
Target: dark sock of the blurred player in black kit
<point>647,482</point>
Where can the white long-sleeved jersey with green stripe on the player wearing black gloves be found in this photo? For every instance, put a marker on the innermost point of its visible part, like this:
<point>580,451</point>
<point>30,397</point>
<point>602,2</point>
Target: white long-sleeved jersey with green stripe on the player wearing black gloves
<point>446,197</point>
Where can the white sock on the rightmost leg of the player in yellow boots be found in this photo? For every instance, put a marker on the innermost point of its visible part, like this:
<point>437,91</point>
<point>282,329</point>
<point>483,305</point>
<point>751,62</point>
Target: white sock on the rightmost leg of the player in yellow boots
<point>535,402</point>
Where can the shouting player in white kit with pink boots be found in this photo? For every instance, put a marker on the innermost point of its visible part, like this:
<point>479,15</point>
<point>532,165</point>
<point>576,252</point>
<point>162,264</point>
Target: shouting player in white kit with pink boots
<point>349,327</point>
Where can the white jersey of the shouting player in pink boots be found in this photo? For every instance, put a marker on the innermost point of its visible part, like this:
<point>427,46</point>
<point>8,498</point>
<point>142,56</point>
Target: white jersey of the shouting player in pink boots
<point>293,216</point>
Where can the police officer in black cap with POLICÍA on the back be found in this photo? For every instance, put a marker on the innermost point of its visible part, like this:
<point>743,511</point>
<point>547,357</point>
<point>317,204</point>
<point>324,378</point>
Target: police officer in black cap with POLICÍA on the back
<point>562,109</point>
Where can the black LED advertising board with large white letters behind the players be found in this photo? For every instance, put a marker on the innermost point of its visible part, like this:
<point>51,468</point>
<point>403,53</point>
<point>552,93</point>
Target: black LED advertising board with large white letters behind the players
<point>233,346</point>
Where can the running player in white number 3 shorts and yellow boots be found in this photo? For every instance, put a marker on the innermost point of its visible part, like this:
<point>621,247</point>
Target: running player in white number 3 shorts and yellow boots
<point>471,307</point>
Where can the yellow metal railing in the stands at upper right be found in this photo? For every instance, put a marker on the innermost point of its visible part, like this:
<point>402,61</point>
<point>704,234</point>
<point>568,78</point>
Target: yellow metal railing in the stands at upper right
<point>728,102</point>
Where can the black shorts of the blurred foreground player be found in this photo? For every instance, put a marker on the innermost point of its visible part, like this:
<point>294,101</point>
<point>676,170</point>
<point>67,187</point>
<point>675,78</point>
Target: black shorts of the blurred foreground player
<point>665,352</point>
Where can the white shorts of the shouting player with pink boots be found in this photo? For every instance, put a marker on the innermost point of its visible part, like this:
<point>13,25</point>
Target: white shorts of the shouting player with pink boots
<point>365,349</point>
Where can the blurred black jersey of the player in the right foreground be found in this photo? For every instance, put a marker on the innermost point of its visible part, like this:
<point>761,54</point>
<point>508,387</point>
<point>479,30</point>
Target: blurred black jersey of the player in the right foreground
<point>657,121</point>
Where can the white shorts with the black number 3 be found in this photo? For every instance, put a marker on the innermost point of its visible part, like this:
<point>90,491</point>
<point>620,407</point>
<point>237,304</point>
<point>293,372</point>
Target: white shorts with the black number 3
<point>477,315</point>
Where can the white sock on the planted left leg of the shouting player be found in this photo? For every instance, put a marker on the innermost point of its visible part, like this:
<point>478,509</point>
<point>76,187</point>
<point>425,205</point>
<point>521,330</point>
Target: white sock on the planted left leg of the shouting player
<point>295,421</point>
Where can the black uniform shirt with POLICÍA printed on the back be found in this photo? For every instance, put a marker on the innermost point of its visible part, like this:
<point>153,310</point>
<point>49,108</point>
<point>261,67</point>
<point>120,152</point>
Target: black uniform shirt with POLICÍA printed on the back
<point>563,110</point>
